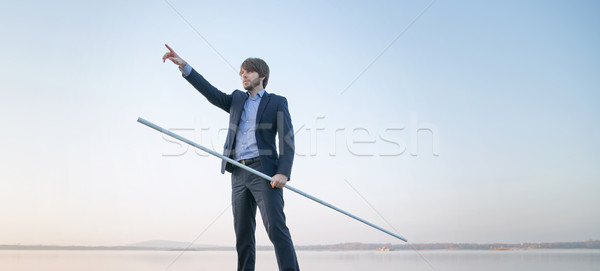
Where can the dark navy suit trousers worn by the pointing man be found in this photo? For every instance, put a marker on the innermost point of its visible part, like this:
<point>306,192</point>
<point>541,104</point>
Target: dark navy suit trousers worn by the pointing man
<point>248,192</point>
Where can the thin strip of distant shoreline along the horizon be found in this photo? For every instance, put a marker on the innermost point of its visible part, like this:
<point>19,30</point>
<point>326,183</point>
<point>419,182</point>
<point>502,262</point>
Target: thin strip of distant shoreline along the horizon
<point>590,244</point>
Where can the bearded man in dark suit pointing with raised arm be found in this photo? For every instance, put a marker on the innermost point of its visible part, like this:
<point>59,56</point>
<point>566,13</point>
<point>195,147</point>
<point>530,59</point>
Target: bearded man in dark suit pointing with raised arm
<point>255,117</point>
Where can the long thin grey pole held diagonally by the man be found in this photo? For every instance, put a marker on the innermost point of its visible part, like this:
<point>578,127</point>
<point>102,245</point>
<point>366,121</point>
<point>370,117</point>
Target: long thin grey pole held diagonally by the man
<point>266,177</point>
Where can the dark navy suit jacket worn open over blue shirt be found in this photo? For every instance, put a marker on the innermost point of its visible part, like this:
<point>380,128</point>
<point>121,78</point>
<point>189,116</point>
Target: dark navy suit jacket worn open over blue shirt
<point>273,118</point>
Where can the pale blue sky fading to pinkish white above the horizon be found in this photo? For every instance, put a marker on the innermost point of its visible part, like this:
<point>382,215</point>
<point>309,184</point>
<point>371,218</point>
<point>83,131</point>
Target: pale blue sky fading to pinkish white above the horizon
<point>445,121</point>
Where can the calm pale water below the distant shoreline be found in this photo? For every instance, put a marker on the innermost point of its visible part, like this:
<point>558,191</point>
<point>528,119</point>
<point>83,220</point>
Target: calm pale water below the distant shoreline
<point>547,260</point>
